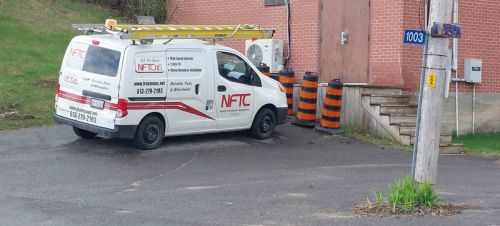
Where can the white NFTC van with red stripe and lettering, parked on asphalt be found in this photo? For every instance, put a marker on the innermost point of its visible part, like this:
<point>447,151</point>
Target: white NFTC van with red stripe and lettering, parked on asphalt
<point>120,88</point>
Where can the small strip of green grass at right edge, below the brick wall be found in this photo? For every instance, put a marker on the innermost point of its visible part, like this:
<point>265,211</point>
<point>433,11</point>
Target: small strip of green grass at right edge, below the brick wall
<point>482,144</point>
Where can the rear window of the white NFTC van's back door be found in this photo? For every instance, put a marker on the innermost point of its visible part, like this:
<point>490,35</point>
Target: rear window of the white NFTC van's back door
<point>101,61</point>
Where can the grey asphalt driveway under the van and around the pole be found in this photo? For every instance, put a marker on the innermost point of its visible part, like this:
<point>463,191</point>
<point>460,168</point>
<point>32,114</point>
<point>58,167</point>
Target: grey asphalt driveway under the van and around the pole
<point>50,177</point>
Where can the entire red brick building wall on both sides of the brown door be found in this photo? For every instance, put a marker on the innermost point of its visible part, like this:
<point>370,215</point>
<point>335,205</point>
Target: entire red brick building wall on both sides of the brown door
<point>391,63</point>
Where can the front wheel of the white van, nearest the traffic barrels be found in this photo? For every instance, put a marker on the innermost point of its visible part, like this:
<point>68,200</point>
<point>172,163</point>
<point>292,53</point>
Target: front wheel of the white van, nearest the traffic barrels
<point>264,124</point>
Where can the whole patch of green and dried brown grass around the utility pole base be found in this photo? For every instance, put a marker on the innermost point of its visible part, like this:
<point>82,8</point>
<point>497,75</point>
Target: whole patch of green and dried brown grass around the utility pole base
<point>406,197</point>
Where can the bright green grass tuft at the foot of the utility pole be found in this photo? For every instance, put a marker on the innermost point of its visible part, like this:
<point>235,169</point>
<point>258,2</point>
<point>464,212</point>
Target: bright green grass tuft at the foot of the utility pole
<point>405,196</point>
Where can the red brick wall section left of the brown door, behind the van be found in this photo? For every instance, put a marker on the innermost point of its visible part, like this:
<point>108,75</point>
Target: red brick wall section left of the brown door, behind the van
<point>304,29</point>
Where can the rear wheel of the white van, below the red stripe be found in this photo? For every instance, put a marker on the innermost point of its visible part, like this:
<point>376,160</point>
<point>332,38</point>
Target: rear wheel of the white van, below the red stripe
<point>150,133</point>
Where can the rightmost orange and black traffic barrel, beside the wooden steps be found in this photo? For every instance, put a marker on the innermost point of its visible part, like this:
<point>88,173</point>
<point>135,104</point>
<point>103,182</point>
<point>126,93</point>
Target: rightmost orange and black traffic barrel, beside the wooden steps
<point>330,119</point>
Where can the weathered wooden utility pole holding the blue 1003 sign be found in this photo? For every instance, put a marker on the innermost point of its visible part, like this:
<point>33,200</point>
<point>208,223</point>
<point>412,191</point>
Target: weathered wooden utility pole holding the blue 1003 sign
<point>433,96</point>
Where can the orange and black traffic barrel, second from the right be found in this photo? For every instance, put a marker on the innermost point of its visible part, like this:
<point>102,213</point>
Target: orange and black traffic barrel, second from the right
<point>306,115</point>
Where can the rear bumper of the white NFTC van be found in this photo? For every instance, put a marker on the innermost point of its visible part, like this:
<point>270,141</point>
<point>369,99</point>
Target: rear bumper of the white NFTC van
<point>120,131</point>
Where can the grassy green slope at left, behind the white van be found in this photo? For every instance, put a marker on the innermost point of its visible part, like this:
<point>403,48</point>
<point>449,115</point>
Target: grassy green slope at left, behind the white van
<point>35,35</point>
